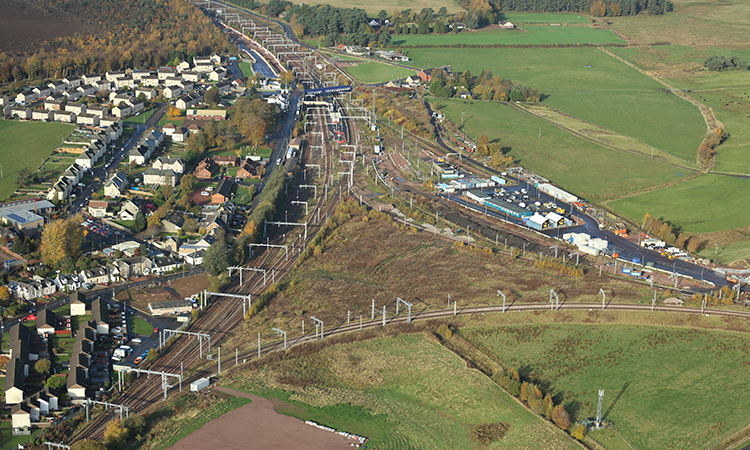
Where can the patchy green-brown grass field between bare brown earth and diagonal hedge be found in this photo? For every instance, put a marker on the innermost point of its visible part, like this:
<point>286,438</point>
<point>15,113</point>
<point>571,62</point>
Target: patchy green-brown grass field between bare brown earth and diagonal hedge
<point>400,392</point>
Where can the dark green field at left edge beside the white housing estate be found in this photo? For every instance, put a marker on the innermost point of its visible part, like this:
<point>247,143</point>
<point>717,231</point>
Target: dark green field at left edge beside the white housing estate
<point>26,144</point>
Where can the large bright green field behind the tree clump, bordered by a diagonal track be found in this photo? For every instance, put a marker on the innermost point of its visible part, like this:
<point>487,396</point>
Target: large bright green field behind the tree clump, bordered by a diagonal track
<point>609,93</point>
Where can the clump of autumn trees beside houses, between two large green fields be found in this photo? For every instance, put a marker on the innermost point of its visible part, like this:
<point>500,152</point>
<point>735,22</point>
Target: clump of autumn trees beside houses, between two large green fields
<point>485,86</point>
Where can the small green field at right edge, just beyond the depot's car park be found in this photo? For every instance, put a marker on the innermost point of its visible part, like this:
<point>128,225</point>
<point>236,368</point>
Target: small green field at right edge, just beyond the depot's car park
<point>701,205</point>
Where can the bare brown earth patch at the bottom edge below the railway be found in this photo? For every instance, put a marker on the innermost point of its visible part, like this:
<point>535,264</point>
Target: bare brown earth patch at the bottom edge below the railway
<point>259,426</point>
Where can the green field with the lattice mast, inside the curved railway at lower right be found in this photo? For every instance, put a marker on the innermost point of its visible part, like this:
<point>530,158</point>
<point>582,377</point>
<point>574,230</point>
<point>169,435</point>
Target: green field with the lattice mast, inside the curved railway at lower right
<point>673,382</point>
